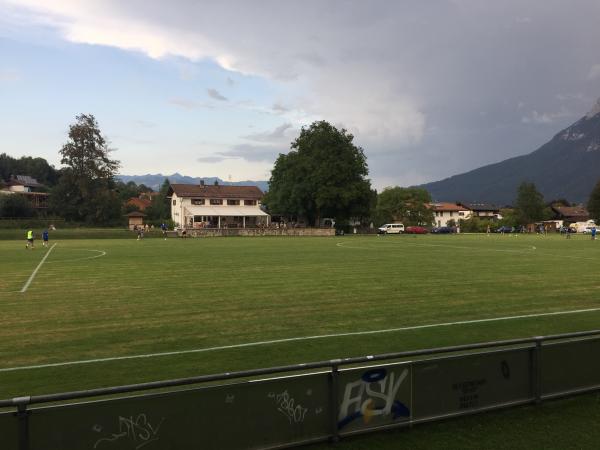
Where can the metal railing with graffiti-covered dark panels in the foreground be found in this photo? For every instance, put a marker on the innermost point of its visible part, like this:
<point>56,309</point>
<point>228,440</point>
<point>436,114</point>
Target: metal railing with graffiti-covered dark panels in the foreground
<point>326,400</point>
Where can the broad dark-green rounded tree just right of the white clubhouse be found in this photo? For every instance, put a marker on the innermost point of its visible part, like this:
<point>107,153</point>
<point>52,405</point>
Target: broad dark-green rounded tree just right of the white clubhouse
<point>323,175</point>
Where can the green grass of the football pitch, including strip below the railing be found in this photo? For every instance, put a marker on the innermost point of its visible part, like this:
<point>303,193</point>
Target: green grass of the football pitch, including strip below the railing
<point>161,296</point>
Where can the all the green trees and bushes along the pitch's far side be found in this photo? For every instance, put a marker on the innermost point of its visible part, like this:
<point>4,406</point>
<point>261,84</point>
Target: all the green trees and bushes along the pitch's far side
<point>324,175</point>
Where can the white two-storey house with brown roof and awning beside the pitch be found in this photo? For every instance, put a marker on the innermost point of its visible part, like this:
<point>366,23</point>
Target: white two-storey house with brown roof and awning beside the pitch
<point>216,206</point>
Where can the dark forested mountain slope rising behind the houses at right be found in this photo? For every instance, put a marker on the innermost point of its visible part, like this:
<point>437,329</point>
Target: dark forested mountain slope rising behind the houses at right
<point>568,166</point>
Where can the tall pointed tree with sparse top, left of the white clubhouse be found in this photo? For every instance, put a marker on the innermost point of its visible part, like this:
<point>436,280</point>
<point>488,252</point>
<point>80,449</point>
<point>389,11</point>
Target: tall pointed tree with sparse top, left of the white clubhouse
<point>85,191</point>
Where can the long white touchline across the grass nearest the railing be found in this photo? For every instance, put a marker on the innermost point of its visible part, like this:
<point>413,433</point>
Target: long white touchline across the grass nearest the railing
<point>299,338</point>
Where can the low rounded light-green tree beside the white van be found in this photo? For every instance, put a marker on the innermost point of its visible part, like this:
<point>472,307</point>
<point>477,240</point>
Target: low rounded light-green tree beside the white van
<point>408,205</point>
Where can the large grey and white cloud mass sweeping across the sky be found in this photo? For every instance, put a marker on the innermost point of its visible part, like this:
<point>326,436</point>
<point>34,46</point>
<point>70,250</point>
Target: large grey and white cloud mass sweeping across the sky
<point>389,72</point>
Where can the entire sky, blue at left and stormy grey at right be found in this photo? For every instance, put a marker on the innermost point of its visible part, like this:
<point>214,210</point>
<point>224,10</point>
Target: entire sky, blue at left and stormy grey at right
<point>429,88</point>
